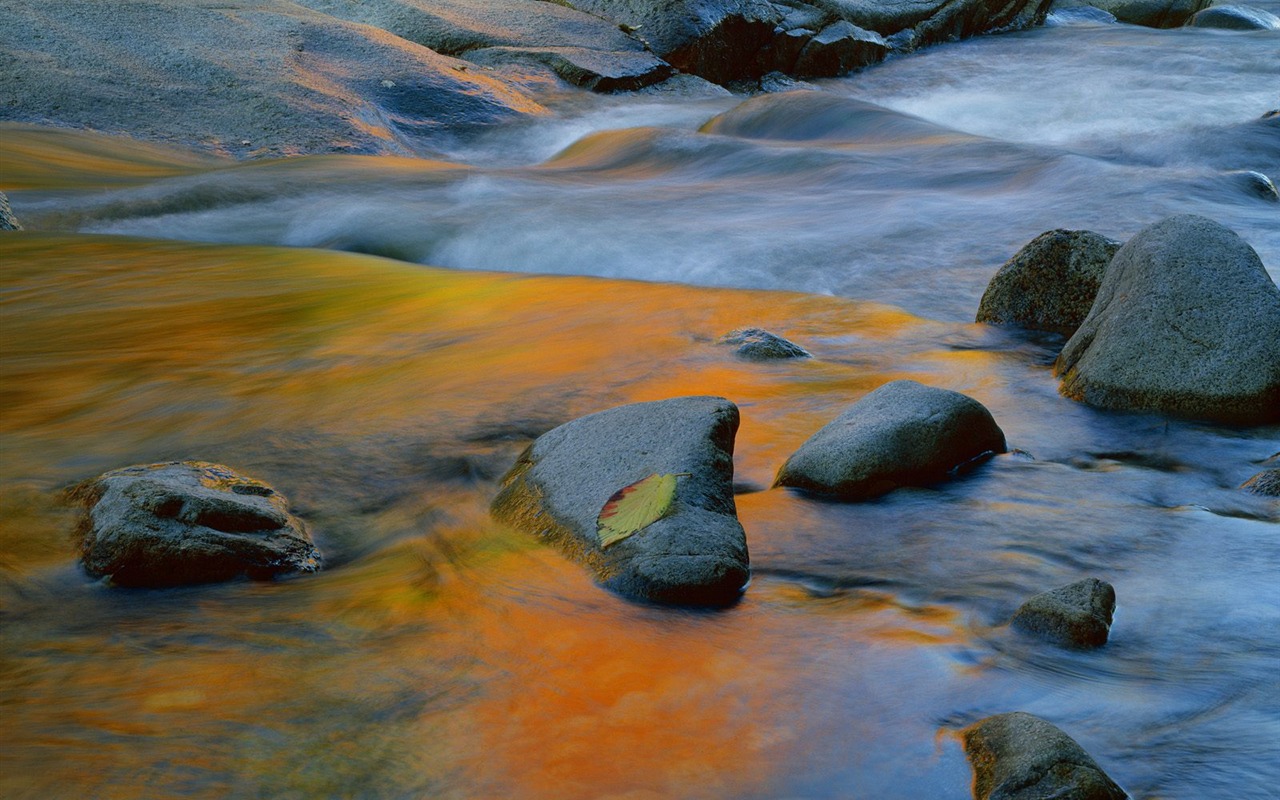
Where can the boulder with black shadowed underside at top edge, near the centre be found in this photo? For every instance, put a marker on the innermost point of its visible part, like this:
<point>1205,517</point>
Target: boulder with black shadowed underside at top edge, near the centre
<point>719,40</point>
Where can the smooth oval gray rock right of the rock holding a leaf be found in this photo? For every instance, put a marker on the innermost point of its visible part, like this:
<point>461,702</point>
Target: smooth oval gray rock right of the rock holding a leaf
<point>903,435</point>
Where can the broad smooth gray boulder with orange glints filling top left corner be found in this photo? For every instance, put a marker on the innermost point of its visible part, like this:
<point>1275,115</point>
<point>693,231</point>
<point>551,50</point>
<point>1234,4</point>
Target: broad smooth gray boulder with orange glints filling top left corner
<point>249,80</point>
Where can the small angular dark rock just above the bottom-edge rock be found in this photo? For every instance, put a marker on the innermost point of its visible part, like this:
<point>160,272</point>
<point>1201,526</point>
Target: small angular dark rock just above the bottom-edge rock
<point>1073,616</point>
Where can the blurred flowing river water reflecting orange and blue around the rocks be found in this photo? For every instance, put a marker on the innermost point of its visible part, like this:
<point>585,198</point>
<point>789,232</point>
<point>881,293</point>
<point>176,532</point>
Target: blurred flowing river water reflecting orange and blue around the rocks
<point>150,314</point>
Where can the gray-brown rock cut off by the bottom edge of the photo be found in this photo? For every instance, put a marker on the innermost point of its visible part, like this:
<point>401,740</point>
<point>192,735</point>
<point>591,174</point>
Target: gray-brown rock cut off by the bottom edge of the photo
<point>1021,757</point>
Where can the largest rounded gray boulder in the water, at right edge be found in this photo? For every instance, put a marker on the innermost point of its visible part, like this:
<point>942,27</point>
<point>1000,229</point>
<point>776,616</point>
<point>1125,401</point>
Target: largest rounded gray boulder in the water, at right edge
<point>1185,324</point>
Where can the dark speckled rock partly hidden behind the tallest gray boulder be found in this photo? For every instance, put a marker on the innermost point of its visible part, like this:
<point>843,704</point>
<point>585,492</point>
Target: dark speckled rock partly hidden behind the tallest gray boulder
<point>1049,285</point>
